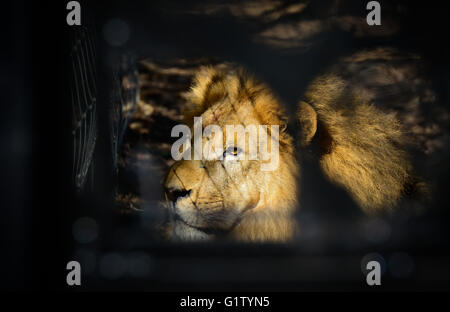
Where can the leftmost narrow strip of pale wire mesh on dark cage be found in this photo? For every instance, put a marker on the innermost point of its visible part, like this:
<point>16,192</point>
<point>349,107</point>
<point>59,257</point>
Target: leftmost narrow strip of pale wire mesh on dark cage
<point>84,105</point>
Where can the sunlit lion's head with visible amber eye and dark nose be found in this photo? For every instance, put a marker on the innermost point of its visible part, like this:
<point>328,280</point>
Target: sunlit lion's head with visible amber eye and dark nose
<point>227,193</point>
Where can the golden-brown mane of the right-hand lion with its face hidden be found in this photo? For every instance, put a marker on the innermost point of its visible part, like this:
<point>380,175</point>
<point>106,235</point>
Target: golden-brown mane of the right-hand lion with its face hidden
<point>363,148</point>
